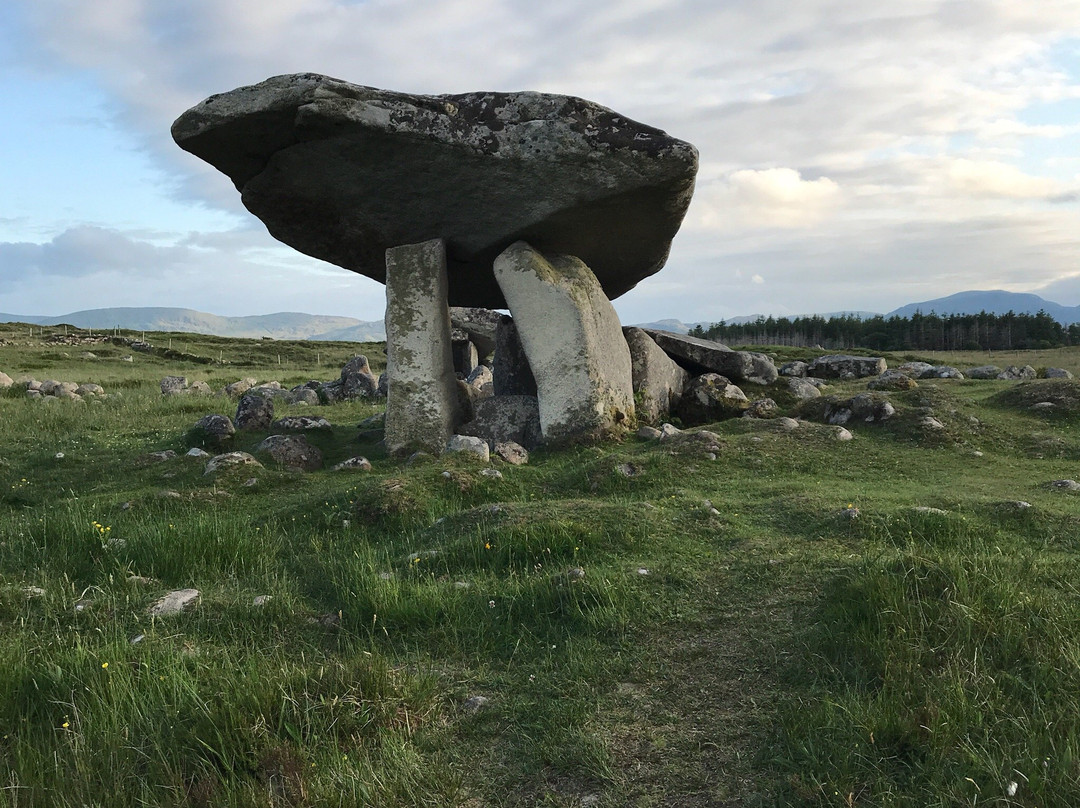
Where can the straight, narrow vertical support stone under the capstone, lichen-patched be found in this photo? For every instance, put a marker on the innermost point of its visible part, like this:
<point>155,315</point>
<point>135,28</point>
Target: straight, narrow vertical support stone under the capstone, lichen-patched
<point>424,403</point>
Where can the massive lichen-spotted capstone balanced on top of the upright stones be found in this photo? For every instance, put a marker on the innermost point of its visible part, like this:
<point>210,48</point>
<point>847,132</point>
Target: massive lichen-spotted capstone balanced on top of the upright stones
<point>344,173</point>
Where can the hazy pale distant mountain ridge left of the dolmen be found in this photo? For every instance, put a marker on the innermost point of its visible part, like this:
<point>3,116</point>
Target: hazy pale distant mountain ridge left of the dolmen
<point>282,326</point>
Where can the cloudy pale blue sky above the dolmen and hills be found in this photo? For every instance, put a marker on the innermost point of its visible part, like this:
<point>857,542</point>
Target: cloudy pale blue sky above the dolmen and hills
<point>855,155</point>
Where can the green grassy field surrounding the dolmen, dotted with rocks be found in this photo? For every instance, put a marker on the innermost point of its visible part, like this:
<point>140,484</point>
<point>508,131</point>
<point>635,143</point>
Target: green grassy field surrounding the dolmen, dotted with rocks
<point>779,626</point>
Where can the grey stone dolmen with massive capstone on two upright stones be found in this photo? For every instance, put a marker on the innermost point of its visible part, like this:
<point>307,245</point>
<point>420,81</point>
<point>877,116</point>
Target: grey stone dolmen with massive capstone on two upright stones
<point>547,206</point>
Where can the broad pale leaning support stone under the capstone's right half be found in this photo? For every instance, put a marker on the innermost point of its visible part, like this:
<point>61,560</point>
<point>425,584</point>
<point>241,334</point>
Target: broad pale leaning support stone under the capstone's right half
<point>574,343</point>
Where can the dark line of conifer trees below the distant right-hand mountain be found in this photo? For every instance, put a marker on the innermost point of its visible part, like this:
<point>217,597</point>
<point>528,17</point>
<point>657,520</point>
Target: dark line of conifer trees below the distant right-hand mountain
<point>920,332</point>
